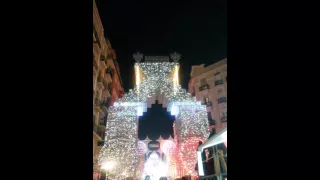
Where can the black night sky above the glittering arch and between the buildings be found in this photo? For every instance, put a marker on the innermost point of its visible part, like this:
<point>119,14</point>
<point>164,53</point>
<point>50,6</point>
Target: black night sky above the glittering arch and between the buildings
<point>198,31</point>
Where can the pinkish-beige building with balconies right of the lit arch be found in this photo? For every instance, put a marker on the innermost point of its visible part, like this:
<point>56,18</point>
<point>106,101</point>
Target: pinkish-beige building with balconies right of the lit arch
<point>209,85</point>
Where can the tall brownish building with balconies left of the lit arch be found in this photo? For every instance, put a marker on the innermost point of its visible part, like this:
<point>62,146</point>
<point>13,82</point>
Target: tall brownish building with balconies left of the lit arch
<point>107,85</point>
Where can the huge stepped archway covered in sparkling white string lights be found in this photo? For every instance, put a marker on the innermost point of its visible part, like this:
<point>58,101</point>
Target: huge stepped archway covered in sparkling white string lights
<point>121,138</point>
